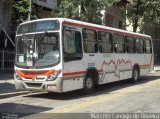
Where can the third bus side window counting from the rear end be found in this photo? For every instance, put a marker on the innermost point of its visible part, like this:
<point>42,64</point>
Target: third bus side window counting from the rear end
<point>130,48</point>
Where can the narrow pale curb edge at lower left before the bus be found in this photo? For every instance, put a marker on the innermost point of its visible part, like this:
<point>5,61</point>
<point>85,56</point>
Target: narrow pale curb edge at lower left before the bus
<point>7,95</point>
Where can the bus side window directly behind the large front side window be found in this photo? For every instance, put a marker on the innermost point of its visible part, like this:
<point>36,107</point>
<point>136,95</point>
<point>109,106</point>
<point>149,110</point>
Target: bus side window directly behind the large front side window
<point>90,41</point>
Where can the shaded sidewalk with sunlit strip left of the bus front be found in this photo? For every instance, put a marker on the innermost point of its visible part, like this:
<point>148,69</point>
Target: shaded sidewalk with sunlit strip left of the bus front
<point>7,87</point>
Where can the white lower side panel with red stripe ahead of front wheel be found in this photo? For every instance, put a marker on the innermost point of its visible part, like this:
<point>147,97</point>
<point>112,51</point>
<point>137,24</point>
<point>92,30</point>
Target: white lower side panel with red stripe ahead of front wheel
<point>73,74</point>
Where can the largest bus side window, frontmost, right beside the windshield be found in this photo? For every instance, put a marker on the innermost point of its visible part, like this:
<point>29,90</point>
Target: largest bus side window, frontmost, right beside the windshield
<point>72,45</point>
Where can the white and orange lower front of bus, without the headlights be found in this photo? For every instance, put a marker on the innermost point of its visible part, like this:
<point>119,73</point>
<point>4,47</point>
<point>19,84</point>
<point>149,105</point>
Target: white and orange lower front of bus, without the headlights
<point>39,82</point>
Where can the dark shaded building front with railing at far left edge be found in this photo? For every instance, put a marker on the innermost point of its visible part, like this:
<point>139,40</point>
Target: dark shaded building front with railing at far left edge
<point>6,38</point>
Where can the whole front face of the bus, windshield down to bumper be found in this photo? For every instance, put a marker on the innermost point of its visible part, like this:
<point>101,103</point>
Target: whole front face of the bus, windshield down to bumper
<point>38,60</point>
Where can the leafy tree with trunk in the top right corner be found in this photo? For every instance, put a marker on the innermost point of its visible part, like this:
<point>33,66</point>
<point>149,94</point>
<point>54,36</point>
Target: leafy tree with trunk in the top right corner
<point>141,11</point>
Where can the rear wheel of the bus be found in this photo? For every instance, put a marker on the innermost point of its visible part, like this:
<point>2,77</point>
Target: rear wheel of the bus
<point>135,74</point>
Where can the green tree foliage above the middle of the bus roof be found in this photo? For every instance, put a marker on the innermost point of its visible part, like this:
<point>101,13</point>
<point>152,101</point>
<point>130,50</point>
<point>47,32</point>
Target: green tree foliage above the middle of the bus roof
<point>84,10</point>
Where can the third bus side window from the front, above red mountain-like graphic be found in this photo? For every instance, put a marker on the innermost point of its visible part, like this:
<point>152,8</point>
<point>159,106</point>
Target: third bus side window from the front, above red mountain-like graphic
<point>104,42</point>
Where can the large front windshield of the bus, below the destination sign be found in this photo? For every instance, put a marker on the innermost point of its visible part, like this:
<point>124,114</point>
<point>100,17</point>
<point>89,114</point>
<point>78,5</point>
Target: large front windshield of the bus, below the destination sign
<point>37,50</point>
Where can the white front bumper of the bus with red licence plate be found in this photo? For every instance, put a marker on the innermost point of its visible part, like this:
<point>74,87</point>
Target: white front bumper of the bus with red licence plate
<point>42,86</point>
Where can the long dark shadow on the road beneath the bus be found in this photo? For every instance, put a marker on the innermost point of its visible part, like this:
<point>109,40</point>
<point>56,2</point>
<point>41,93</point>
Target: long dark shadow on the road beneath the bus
<point>99,90</point>
